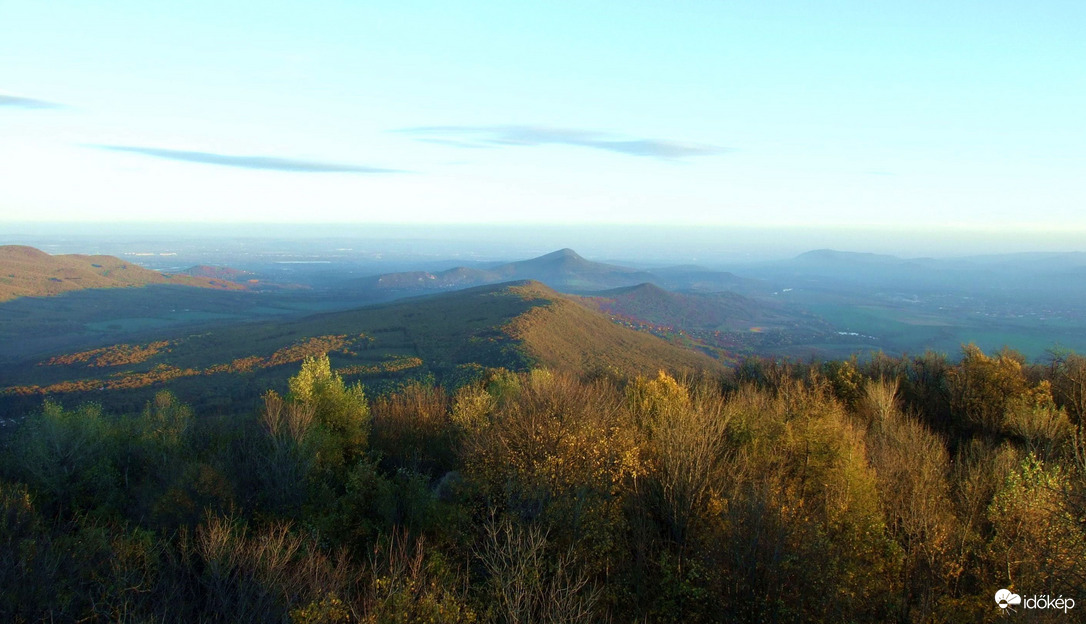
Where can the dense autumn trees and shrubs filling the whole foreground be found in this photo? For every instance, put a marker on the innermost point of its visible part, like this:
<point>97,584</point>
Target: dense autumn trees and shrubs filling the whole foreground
<point>904,490</point>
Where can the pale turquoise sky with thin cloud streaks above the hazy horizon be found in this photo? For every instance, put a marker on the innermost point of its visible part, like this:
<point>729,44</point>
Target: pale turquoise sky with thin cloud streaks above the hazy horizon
<point>944,114</point>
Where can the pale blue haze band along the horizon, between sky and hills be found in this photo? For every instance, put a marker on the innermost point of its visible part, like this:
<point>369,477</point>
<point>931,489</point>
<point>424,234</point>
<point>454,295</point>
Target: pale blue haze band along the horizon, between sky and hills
<point>637,245</point>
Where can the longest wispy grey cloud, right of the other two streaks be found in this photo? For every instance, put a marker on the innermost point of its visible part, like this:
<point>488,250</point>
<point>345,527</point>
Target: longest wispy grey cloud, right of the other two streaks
<point>529,136</point>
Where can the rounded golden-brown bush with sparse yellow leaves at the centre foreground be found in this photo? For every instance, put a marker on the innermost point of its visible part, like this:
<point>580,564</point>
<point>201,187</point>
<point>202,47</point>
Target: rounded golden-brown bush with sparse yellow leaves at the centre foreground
<point>559,451</point>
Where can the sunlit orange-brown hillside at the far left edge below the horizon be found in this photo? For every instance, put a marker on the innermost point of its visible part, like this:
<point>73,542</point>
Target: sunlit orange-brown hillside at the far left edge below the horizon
<point>27,272</point>
